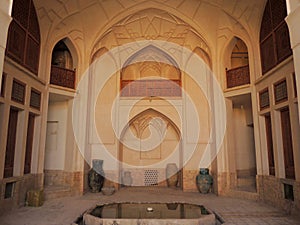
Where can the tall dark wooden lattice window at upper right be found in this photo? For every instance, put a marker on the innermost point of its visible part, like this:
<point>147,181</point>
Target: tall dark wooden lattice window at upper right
<point>274,35</point>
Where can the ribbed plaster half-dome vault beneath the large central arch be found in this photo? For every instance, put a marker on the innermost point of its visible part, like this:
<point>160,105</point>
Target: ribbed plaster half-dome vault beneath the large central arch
<point>152,24</point>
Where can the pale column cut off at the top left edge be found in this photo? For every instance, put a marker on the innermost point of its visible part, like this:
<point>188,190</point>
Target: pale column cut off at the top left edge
<point>5,18</point>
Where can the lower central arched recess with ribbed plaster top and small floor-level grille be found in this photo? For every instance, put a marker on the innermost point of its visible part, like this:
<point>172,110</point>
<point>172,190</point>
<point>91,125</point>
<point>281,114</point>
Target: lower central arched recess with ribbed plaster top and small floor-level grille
<point>148,143</point>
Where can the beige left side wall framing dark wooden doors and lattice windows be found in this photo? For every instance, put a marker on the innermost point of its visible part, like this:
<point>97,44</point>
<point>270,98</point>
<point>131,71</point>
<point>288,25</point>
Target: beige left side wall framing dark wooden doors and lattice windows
<point>34,180</point>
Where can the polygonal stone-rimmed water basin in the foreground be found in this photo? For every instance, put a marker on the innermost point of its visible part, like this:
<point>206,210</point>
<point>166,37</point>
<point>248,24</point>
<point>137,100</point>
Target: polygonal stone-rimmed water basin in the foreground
<point>148,214</point>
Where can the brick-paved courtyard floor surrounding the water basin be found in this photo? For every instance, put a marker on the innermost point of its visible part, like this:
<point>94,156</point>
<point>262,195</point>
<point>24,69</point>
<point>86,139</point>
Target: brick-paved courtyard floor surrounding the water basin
<point>233,211</point>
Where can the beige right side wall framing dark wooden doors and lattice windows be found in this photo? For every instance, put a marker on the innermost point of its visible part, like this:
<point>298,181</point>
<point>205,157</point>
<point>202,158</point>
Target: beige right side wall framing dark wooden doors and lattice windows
<point>271,188</point>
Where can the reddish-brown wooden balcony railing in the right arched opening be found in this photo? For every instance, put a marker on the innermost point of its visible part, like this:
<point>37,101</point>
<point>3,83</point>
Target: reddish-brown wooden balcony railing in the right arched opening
<point>238,76</point>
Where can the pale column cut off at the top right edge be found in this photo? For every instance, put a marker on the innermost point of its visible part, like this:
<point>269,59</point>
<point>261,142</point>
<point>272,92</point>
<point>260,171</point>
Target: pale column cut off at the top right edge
<point>292,20</point>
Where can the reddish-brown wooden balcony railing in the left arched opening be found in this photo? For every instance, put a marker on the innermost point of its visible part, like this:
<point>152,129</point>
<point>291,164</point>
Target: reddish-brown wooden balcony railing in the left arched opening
<point>62,77</point>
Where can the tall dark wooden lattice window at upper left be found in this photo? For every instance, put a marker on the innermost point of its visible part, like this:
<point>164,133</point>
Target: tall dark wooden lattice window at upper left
<point>23,43</point>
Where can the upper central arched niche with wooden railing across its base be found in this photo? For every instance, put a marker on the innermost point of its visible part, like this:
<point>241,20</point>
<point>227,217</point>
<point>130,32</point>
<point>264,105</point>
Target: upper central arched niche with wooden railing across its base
<point>150,72</point>
